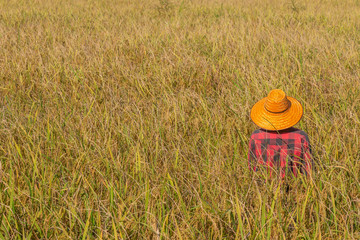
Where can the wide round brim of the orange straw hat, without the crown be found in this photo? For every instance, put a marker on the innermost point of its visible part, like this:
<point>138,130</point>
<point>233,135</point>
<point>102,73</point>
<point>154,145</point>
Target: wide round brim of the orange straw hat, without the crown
<point>276,121</point>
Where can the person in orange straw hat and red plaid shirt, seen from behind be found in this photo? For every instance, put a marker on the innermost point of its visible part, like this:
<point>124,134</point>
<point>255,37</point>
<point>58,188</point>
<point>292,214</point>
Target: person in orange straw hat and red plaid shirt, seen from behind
<point>277,146</point>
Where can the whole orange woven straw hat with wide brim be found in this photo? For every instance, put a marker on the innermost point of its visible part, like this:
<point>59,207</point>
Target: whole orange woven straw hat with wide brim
<point>277,111</point>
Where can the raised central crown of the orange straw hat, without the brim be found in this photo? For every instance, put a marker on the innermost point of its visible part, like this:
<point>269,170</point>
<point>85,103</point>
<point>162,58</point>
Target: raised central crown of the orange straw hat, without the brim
<point>277,101</point>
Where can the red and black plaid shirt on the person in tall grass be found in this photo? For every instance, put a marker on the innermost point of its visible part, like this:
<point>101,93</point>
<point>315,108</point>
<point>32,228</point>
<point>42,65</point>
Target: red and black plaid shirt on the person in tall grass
<point>288,149</point>
